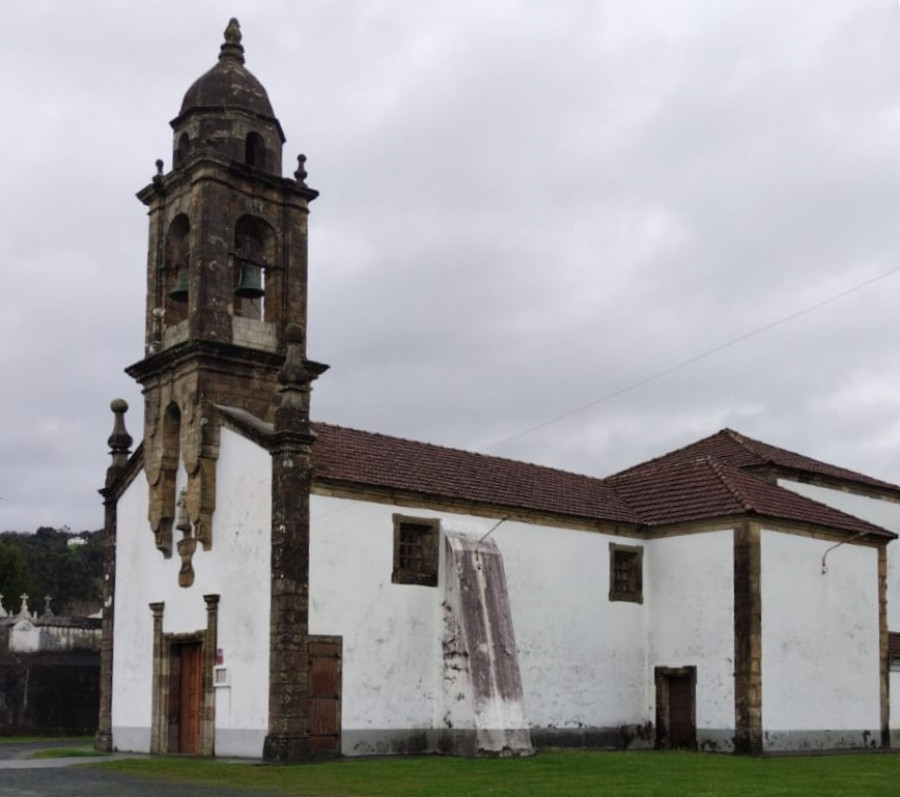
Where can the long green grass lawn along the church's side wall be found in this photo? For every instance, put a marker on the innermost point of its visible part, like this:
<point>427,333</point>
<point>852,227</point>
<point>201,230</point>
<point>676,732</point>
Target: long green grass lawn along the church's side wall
<point>550,774</point>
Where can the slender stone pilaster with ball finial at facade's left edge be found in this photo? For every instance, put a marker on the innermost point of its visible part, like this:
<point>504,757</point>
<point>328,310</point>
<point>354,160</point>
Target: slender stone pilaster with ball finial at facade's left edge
<point>119,444</point>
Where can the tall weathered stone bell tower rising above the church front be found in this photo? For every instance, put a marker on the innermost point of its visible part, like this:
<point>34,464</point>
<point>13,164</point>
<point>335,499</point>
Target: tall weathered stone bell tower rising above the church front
<point>226,275</point>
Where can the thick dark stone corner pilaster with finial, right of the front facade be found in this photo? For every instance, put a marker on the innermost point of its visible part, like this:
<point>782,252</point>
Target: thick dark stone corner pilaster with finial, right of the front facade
<point>288,737</point>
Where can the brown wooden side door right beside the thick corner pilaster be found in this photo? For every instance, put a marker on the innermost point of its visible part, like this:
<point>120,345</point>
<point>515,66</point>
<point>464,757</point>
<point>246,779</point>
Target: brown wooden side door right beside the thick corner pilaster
<point>325,695</point>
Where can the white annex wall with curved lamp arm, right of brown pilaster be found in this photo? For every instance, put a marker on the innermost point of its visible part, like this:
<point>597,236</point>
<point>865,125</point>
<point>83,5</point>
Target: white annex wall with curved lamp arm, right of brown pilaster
<point>820,644</point>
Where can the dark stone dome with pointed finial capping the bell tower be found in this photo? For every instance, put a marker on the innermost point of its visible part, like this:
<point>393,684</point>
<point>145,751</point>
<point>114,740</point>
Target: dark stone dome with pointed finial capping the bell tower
<point>228,85</point>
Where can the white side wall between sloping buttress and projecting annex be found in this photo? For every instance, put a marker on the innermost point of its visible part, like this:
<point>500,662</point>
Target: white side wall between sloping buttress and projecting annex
<point>581,656</point>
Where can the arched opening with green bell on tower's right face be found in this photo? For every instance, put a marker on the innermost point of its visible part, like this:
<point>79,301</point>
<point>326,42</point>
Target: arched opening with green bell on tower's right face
<point>253,265</point>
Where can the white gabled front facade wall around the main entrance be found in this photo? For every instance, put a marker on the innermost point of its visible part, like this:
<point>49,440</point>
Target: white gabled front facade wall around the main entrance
<point>236,568</point>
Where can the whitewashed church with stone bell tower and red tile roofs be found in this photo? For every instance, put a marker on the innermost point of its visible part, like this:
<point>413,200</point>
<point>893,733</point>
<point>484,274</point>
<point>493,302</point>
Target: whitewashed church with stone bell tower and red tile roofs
<point>285,589</point>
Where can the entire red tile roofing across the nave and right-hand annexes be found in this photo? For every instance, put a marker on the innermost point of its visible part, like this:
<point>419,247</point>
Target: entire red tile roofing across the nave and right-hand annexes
<point>712,478</point>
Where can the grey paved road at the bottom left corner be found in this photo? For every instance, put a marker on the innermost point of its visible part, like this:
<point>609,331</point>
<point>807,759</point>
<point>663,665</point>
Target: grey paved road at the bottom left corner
<point>22,776</point>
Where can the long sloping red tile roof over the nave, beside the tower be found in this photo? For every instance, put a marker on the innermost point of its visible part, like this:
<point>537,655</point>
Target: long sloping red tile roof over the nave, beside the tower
<point>348,455</point>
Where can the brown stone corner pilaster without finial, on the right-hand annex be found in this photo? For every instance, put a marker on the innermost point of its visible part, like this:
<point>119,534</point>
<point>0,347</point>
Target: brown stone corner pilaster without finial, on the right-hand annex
<point>747,640</point>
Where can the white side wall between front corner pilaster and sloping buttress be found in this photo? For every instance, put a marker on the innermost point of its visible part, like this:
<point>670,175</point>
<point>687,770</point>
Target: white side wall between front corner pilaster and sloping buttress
<point>390,631</point>
